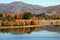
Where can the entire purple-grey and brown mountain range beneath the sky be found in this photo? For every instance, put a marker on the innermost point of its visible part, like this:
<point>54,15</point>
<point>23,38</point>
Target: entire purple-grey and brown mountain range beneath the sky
<point>21,7</point>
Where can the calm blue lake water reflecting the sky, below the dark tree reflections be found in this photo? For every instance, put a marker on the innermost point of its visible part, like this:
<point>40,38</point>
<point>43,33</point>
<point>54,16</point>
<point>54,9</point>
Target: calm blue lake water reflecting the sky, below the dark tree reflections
<point>40,35</point>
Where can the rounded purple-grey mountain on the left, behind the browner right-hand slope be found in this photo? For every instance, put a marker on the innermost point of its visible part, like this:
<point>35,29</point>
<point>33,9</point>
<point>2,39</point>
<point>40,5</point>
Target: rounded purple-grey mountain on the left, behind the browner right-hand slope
<point>18,7</point>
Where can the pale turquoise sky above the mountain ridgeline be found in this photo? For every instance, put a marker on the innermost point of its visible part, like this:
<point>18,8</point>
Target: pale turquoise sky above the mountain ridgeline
<point>35,2</point>
